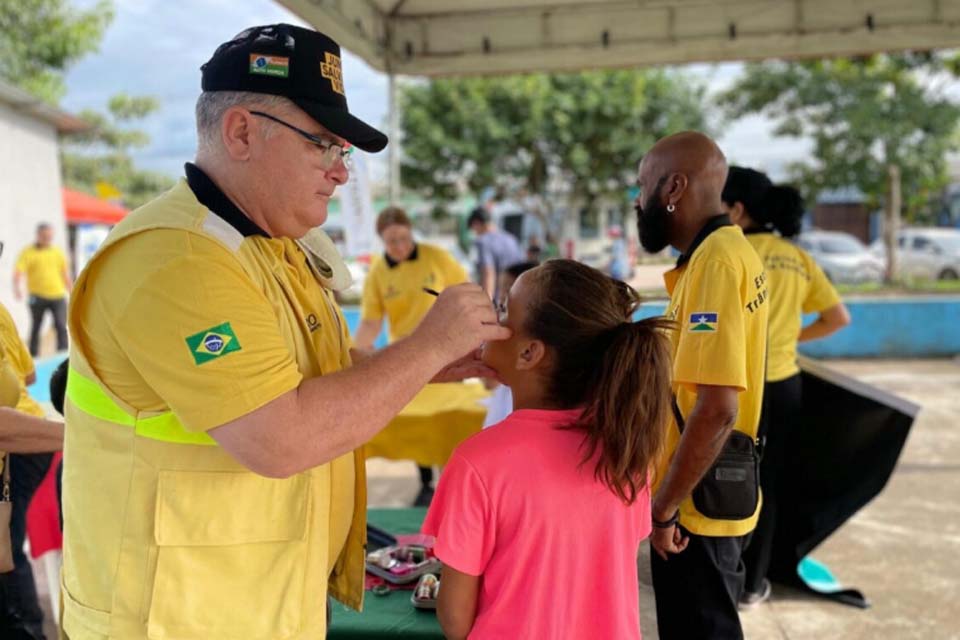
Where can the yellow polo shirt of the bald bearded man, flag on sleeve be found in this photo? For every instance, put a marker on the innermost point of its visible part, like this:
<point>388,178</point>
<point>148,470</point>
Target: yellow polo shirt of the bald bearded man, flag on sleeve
<point>718,300</point>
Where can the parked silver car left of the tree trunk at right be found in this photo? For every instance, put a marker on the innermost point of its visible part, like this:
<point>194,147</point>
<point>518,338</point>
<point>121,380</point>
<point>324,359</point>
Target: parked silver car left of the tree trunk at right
<point>842,257</point>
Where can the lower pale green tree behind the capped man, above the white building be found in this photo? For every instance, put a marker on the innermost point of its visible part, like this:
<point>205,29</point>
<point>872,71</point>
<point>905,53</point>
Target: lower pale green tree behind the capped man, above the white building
<point>102,153</point>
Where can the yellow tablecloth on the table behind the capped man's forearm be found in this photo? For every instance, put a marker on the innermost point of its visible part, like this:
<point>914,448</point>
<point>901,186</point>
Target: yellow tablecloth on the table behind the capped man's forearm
<point>429,428</point>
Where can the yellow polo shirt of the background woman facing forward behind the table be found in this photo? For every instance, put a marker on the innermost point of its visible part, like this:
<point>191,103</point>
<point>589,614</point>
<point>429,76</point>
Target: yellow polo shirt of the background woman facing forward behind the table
<point>395,290</point>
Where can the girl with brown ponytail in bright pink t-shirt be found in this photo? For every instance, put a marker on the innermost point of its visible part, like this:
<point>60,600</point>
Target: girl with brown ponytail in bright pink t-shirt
<point>539,519</point>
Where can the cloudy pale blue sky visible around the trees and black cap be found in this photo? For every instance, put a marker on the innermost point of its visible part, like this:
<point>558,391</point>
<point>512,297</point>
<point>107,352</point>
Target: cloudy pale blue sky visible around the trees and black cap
<point>156,47</point>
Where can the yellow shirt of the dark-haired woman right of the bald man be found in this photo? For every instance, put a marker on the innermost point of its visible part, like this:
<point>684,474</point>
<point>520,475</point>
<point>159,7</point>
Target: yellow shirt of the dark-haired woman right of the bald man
<point>799,286</point>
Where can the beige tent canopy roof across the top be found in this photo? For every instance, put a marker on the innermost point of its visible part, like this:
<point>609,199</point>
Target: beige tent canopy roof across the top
<point>470,37</point>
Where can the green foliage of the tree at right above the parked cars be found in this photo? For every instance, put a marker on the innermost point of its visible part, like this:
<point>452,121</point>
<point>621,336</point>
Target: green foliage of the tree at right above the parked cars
<point>863,114</point>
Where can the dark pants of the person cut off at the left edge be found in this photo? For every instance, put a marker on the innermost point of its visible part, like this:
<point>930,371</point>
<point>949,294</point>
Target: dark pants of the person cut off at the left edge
<point>20,614</point>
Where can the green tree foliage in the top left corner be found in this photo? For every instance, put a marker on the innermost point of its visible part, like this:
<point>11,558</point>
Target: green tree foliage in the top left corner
<point>39,39</point>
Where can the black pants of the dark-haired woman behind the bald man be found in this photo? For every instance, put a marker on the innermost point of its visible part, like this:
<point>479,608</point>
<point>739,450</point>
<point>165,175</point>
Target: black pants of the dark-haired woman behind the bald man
<point>783,404</point>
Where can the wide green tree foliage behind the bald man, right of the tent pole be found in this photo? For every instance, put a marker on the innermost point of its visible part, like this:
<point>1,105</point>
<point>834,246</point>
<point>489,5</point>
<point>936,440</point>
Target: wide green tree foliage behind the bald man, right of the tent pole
<point>586,131</point>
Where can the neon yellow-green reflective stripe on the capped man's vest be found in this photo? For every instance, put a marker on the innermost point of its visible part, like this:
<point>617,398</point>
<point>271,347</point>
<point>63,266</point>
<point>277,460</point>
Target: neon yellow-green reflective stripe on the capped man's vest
<point>86,395</point>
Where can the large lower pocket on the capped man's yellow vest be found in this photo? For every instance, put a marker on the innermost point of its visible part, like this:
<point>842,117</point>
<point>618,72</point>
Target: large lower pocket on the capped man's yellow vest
<point>231,558</point>
